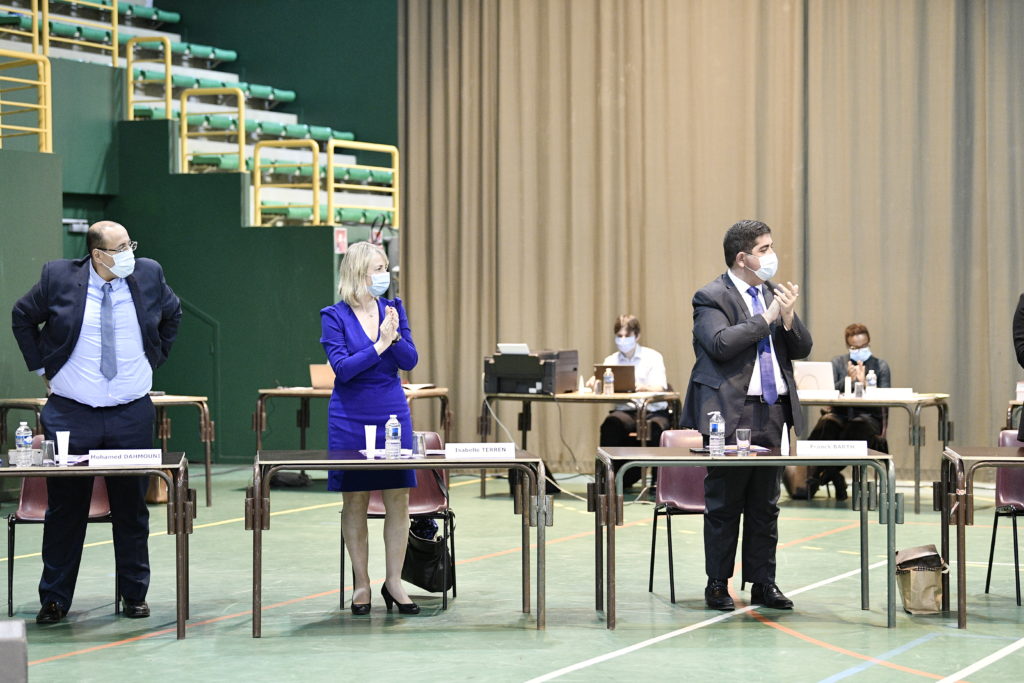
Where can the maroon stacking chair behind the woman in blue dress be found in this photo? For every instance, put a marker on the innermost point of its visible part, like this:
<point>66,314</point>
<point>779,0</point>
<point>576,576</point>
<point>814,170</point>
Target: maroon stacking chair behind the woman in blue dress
<point>430,500</point>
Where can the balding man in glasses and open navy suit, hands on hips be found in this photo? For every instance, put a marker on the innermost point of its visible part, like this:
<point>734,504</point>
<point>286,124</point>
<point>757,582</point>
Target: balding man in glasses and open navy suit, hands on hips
<point>96,329</point>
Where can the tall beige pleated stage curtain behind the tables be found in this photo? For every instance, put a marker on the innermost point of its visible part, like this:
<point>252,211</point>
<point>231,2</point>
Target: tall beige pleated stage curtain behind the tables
<point>568,161</point>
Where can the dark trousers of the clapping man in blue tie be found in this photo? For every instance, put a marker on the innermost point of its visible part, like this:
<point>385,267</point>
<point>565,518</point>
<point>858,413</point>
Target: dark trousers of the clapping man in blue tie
<point>751,492</point>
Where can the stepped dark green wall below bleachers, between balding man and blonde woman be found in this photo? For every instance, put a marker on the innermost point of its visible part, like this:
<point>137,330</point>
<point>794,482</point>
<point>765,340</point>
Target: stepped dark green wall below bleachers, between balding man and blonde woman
<point>251,296</point>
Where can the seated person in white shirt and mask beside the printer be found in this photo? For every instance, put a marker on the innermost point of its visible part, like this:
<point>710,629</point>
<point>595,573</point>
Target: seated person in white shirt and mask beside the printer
<point>621,425</point>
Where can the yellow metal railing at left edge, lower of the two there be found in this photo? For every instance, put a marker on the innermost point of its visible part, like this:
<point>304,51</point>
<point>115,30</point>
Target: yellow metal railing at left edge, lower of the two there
<point>42,107</point>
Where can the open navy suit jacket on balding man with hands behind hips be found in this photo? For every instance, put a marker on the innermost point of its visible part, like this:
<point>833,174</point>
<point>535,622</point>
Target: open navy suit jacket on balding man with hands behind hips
<point>57,304</point>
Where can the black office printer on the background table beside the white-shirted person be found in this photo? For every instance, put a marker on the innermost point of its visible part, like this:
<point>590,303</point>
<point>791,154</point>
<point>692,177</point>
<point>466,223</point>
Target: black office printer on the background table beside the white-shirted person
<point>541,372</point>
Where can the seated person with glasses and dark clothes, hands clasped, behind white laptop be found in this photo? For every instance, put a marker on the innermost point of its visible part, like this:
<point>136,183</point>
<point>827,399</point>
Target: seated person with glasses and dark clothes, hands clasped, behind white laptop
<point>861,424</point>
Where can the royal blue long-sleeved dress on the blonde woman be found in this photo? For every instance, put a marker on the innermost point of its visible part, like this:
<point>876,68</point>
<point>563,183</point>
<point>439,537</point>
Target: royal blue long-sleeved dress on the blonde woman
<point>367,392</point>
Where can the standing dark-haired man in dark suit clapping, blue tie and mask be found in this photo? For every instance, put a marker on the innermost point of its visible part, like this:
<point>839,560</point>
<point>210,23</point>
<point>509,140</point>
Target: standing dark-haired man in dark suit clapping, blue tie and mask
<point>746,334</point>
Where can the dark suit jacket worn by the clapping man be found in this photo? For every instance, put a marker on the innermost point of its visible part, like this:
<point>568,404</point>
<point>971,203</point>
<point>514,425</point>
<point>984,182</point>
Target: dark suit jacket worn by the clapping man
<point>726,340</point>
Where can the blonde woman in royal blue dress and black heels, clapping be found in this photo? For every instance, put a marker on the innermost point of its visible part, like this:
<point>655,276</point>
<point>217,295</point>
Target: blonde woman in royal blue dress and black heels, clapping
<point>368,341</point>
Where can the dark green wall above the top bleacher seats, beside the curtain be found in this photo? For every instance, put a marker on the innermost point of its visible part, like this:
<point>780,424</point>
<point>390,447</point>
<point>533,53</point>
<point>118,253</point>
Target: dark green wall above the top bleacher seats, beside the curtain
<point>340,57</point>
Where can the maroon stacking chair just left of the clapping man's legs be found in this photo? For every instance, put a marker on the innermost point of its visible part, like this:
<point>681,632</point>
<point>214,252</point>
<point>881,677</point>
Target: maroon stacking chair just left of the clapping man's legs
<point>680,492</point>
